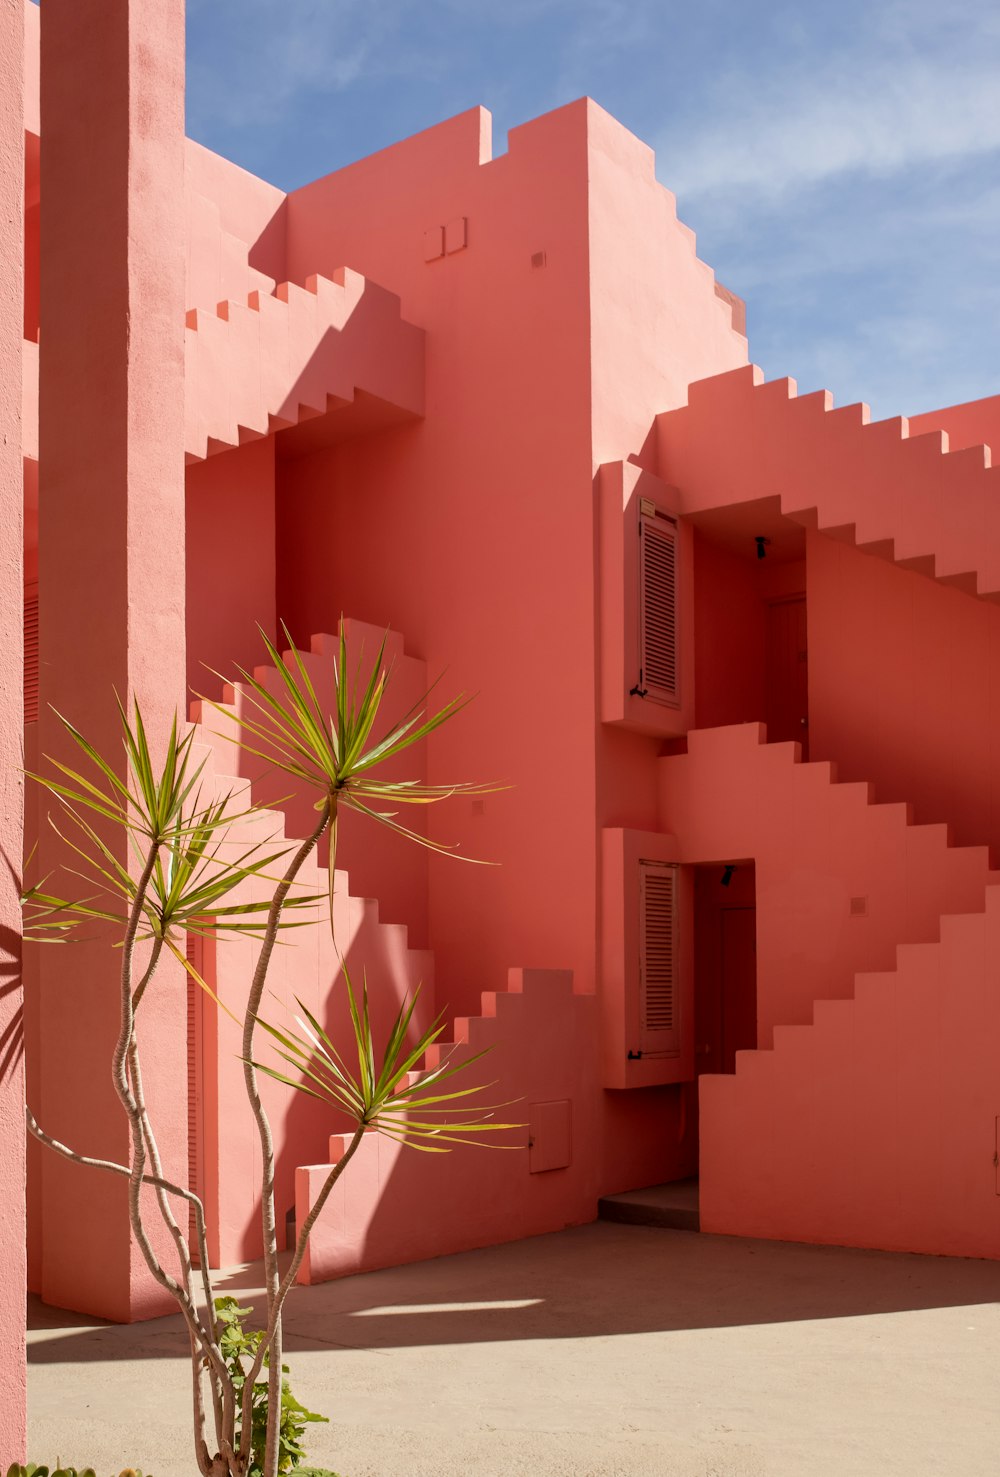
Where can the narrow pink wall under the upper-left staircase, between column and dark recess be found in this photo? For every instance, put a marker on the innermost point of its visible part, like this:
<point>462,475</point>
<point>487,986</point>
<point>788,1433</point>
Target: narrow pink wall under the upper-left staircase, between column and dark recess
<point>230,561</point>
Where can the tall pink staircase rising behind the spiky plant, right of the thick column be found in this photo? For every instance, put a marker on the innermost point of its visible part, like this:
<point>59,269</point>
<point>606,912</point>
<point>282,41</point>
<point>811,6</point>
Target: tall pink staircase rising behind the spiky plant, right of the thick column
<point>309,970</point>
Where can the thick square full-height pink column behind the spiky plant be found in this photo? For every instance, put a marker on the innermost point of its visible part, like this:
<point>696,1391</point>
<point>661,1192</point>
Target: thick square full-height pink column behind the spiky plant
<point>112,565</point>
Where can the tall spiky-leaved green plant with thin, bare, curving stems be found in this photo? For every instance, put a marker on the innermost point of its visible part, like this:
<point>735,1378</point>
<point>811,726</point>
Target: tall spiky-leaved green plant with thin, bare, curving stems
<point>154,854</point>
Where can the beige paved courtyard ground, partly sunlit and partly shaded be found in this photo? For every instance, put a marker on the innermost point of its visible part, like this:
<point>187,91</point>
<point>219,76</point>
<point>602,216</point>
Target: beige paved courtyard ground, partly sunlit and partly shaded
<point>600,1352</point>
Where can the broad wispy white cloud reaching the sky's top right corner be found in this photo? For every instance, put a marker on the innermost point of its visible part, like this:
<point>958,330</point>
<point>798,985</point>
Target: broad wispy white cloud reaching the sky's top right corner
<point>911,86</point>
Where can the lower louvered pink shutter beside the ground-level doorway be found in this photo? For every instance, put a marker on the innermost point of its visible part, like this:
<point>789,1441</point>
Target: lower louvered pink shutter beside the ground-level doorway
<point>660,1002</point>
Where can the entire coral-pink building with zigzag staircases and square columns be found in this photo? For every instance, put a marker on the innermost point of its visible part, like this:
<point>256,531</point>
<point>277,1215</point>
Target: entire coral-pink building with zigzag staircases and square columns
<point>738,655</point>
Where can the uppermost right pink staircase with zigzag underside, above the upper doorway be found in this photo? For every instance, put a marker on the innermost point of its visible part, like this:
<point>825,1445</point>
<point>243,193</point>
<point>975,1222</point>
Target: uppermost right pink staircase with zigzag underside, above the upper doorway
<point>902,497</point>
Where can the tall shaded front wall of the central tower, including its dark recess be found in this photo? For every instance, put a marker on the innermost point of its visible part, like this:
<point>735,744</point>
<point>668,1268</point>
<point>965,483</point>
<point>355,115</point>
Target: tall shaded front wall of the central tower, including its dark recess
<point>472,512</point>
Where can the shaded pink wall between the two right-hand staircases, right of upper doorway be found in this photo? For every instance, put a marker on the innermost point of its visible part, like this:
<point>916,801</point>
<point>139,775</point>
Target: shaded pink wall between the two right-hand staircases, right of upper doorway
<point>903,688</point>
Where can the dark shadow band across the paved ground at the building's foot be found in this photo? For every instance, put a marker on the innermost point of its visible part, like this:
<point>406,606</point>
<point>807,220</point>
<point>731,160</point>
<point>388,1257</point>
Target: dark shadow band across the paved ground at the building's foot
<point>589,1283</point>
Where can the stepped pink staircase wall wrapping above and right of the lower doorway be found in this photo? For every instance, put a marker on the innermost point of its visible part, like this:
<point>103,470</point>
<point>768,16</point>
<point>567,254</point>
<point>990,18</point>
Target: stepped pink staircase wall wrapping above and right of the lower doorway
<point>840,880</point>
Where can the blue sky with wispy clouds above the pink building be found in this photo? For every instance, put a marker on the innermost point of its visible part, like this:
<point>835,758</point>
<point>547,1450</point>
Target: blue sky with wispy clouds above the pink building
<point>840,163</point>
